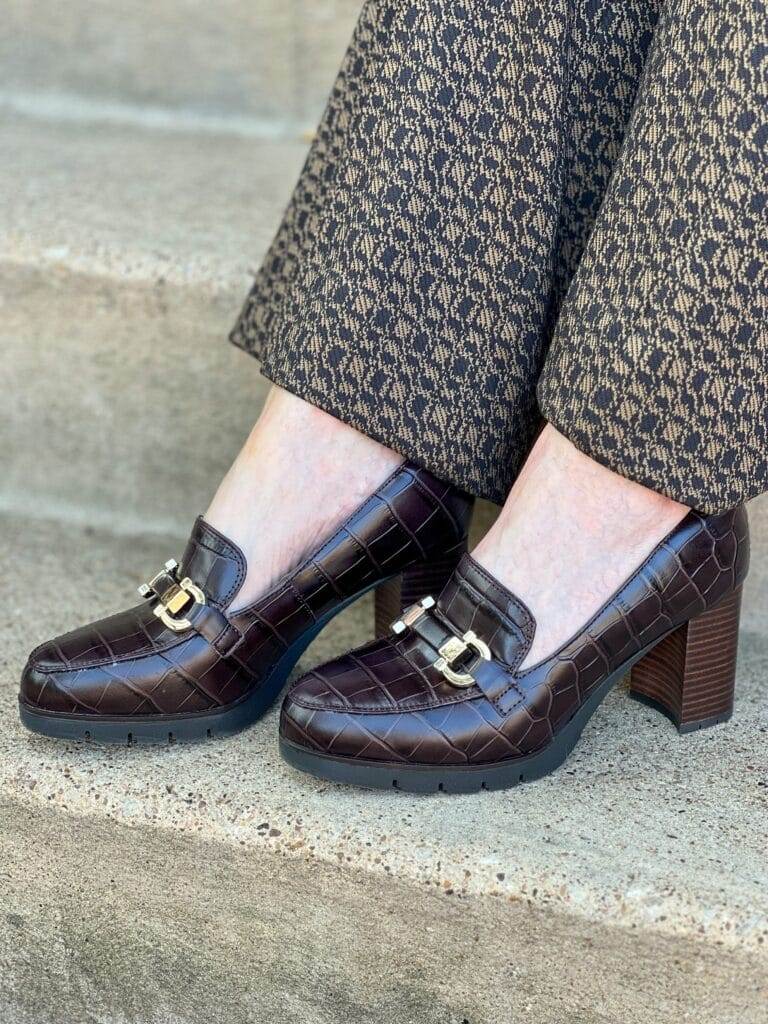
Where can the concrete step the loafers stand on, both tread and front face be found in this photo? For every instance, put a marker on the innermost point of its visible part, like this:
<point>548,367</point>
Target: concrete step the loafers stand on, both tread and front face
<point>212,883</point>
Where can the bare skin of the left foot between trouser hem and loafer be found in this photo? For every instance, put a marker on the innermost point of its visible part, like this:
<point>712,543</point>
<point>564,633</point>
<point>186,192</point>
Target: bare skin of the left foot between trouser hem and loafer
<point>300,476</point>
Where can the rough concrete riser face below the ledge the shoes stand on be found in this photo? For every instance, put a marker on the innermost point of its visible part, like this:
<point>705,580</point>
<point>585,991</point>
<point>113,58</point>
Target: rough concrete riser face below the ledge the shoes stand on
<point>106,924</point>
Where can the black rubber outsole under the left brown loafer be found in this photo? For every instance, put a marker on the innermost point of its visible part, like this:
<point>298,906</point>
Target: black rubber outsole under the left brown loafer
<point>153,730</point>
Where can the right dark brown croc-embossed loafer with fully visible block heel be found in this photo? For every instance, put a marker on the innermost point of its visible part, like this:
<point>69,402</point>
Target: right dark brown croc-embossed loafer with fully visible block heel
<point>441,704</point>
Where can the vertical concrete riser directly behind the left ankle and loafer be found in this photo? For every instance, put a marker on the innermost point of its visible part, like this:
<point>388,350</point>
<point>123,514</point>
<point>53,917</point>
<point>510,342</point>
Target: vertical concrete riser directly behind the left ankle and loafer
<point>124,406</point>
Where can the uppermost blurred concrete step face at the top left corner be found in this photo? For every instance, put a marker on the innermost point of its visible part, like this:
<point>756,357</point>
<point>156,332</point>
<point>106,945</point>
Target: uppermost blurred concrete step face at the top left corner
<point>266,66</point>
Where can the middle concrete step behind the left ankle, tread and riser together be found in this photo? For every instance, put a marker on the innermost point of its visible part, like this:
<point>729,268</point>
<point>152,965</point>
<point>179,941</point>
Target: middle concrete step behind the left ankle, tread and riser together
<point>124,259</point>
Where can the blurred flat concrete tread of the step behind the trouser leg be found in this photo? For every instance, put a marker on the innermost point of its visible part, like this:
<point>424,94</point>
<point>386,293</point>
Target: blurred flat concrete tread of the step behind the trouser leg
<point>146,207</point>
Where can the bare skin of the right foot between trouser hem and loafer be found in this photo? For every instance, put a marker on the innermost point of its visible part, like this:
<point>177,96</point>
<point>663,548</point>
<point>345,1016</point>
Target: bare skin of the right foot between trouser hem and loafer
<point>570,534</point>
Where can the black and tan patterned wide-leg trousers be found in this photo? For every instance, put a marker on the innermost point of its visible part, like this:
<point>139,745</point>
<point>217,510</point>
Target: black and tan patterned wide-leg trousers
<point>527,209</point>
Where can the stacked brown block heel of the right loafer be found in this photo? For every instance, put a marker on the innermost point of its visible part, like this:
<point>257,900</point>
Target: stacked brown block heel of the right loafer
<point>691,675</point>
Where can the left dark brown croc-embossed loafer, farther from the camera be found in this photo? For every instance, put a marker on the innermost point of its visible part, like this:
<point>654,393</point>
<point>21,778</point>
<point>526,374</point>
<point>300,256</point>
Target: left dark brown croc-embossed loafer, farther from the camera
<point>181,666</point>
